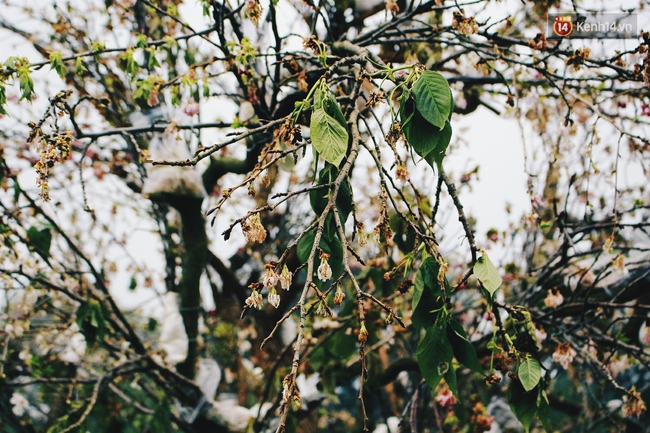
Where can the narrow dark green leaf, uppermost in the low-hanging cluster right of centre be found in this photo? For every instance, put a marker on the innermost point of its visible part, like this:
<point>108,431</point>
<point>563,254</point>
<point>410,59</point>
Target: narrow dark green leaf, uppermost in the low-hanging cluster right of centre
<point>426,294</point>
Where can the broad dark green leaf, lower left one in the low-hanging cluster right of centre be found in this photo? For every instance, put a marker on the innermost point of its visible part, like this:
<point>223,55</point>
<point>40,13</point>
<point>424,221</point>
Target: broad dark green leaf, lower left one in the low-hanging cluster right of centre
<point>435,355</point>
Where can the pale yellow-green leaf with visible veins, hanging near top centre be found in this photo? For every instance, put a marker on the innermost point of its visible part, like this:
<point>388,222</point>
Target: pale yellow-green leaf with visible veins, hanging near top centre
<point>328,136</point>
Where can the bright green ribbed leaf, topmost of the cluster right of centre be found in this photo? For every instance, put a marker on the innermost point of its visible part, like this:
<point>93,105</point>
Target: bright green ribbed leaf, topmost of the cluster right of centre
<point>433,98</point>
